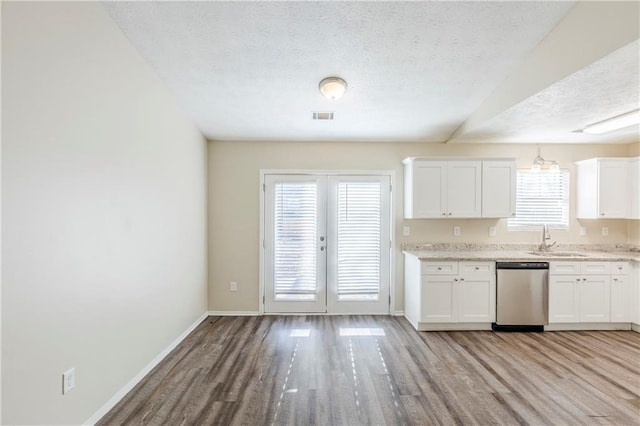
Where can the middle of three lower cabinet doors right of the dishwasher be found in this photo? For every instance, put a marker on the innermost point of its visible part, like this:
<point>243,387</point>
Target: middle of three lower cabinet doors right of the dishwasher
<point>595,296</point>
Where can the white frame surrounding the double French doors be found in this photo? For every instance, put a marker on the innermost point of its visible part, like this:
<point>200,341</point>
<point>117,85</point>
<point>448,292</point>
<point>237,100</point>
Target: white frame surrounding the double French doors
<point>392,226</point>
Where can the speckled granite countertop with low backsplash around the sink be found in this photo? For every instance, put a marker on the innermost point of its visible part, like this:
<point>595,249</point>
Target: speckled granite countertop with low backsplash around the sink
<point>519,253</point>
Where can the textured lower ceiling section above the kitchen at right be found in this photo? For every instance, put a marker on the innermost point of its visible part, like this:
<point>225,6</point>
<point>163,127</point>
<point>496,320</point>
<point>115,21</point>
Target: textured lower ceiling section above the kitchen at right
<point>606,88</point>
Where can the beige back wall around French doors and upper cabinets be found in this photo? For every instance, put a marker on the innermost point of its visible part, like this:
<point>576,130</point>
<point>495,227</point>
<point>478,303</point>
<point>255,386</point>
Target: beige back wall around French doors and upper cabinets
<point>234,172</point>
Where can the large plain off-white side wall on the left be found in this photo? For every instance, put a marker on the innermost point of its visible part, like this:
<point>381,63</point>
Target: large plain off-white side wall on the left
<point>103,212</point>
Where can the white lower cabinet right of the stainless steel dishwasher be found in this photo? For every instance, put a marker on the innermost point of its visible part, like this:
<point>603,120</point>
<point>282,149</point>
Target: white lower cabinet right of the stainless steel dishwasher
<point>590,292</point>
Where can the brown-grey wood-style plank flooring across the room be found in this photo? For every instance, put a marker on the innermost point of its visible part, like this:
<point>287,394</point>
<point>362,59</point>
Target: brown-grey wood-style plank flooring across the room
<point>361,370</point>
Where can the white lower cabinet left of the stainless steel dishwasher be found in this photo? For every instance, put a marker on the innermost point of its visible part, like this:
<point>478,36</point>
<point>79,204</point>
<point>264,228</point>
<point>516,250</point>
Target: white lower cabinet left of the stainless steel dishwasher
<point>449,294</point>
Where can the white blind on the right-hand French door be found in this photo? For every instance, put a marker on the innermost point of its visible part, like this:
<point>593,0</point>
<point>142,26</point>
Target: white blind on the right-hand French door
<point>358,254</point>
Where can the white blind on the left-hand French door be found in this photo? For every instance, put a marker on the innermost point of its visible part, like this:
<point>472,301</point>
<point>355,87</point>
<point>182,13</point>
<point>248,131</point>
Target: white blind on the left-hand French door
<point>295,240</point>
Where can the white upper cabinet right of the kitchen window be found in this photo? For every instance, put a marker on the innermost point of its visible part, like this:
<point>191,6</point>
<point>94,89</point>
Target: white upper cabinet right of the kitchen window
<point>604,188</point>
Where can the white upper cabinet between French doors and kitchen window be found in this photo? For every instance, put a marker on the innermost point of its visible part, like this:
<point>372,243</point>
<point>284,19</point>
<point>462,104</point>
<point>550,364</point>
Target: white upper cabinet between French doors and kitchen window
<point>447,188</point>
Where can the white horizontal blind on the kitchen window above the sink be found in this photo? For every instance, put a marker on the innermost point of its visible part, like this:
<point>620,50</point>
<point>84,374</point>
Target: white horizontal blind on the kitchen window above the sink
<point>542,198</point>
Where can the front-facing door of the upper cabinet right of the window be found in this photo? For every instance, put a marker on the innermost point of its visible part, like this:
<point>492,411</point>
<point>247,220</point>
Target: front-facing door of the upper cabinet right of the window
<point>613,189</point>
